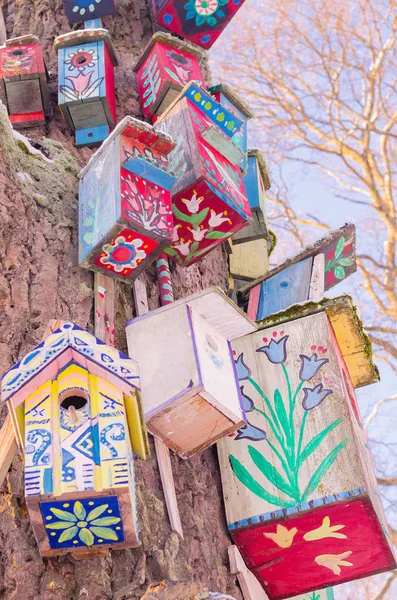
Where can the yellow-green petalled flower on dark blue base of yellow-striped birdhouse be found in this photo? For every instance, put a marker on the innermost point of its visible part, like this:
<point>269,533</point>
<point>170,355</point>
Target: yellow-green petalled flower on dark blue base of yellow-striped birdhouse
<point>79,524</point>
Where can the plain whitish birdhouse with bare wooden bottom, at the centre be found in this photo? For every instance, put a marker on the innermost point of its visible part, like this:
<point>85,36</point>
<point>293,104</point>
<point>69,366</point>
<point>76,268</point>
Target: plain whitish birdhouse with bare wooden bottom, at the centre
<point>189,387</point>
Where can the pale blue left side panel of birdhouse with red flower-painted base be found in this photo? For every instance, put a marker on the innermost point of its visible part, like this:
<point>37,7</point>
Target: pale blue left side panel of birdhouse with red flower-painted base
<point>99,201</point>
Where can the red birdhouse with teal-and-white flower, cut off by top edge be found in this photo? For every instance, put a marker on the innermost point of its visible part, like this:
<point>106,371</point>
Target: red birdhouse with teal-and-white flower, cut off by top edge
<point>199,21</point>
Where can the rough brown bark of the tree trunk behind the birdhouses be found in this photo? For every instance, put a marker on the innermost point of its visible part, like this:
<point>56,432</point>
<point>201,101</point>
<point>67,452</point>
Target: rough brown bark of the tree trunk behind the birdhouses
<point>40,280</point>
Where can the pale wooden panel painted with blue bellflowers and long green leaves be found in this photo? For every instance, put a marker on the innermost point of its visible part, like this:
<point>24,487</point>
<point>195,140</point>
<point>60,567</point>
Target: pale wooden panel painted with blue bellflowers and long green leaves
<point>298,446</point>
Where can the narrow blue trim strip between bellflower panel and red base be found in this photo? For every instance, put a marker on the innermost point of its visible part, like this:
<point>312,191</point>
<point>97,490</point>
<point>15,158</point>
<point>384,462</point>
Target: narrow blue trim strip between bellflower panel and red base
<point>305,506</point>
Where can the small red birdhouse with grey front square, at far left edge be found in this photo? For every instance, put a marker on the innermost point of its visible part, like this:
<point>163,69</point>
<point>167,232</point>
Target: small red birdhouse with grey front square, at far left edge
<point>23,81</point>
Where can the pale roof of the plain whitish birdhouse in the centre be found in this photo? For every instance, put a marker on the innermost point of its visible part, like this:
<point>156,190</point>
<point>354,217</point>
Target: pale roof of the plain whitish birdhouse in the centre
<point>214,306</point>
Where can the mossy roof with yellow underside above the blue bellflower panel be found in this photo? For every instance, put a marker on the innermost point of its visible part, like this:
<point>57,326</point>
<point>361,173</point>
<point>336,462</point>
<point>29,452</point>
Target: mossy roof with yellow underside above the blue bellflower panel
<point>352,340</point>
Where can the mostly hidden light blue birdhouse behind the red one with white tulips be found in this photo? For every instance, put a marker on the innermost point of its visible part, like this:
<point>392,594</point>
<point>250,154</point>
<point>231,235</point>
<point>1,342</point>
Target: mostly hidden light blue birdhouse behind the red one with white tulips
<point>229,99</point>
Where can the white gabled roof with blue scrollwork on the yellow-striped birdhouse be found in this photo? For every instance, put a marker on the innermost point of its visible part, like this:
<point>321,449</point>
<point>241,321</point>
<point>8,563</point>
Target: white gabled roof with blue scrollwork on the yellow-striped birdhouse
<point>68,343</point>
